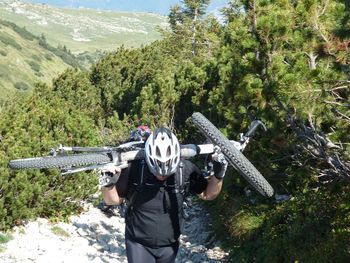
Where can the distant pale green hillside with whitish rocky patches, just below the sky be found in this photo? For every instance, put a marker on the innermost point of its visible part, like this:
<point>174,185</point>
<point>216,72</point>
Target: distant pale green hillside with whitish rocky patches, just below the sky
<point>84,29</point>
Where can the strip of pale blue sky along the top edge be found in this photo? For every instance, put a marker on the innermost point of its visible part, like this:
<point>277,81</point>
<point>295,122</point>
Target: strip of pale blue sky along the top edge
<point>154,6</point>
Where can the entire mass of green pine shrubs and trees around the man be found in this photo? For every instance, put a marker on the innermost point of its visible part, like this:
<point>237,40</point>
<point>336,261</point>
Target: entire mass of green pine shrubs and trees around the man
<point>268,54</point>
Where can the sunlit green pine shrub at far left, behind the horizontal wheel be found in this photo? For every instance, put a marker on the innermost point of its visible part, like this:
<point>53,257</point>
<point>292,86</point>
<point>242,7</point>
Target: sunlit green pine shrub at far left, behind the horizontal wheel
<point>30,128</point>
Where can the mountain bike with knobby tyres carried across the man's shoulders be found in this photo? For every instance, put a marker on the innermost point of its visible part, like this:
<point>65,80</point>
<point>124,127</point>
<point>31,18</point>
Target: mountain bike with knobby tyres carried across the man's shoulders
<point>78,159</point>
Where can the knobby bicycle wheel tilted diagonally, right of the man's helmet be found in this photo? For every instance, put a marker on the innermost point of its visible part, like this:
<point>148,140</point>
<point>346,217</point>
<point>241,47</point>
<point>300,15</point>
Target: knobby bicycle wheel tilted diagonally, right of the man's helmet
<point>233,155</point>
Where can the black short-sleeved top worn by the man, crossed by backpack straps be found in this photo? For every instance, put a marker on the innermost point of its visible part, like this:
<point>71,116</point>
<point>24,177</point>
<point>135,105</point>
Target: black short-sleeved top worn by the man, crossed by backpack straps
<point>155,208</point>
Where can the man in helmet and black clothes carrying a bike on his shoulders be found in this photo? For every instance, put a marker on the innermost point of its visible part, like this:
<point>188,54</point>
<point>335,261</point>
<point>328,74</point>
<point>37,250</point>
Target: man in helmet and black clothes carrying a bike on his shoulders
<point>155,189</point>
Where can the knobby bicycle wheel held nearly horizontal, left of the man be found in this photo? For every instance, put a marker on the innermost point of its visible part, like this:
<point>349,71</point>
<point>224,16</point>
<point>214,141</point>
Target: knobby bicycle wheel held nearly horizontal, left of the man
<point>59,162</point>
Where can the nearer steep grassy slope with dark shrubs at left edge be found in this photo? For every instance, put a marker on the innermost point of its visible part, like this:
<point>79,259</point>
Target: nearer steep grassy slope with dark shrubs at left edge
<point>26,59</point>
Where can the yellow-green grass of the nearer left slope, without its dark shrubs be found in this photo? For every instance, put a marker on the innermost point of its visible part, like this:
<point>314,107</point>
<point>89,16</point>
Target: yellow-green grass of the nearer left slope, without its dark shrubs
<point>15,63</point>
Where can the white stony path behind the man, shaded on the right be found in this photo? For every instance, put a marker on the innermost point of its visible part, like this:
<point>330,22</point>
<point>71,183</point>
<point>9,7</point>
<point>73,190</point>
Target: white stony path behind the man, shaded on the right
<point>94,237</point>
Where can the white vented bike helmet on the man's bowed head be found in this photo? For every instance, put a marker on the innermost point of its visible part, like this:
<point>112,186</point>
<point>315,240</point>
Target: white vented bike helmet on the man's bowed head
<point>162,152</point>
